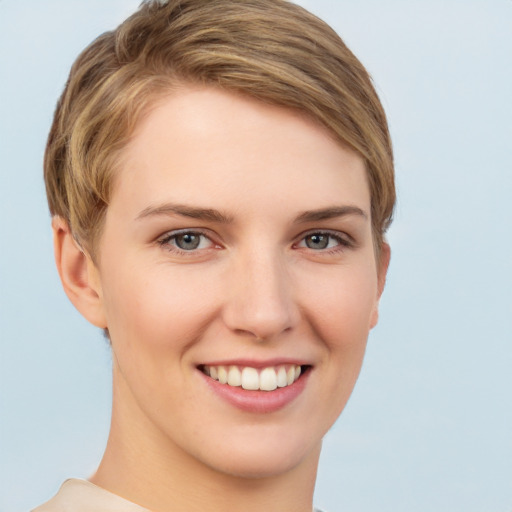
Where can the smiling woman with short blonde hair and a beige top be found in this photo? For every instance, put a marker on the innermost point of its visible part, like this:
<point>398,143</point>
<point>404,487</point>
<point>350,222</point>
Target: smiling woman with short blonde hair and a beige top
<point>220,178</point>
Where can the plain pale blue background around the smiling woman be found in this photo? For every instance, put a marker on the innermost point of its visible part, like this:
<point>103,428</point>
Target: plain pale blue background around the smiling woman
<point>429,427</point>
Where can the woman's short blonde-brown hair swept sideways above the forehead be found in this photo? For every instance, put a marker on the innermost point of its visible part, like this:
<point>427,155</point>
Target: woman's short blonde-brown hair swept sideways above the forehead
<point>270,50</point>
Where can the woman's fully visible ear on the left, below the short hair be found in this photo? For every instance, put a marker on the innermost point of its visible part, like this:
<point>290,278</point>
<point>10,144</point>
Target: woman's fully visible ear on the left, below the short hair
<point>78,274</point>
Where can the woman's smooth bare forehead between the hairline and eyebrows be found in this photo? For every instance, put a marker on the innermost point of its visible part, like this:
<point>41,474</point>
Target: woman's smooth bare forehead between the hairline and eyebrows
<point>203,144</point>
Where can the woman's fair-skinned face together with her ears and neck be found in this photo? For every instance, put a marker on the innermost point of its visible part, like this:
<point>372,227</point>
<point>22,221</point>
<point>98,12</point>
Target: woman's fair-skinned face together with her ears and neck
<point>238,235</point>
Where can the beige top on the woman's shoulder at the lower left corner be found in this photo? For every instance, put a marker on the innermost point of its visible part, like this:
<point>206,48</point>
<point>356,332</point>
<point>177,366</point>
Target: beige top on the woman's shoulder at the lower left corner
<point>83,496</point>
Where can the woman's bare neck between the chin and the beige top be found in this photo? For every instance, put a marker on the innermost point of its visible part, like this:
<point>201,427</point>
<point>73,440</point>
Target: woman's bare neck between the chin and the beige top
<point>142,465</point>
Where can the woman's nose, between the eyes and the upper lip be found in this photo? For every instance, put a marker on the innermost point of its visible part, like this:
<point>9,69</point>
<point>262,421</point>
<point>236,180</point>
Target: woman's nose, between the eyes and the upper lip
<point>260,300</point>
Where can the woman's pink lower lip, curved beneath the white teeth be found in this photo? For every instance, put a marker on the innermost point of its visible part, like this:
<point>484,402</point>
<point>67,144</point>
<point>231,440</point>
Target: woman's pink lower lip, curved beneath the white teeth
<point>258,401</point>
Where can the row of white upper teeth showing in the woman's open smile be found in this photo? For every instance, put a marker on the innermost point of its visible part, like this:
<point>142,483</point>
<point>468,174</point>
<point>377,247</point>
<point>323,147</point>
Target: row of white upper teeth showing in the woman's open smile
<point>253,379</point>
